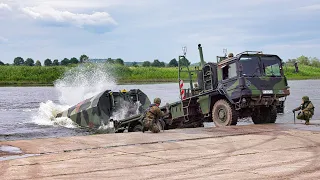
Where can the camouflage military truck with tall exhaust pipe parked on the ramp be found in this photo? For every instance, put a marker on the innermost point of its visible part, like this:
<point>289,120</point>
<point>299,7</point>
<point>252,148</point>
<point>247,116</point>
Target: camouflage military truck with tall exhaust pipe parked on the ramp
<point>250,84</point>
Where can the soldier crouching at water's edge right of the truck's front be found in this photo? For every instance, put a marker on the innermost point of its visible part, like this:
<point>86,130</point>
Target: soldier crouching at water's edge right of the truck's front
<point>307,110</point>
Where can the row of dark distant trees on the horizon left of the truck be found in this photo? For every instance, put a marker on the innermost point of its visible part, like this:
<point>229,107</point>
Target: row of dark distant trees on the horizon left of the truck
<point>19,61</point>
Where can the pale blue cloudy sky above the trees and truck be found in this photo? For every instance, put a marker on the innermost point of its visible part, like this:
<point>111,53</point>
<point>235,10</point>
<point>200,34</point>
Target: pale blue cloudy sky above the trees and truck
<point>144,30</point>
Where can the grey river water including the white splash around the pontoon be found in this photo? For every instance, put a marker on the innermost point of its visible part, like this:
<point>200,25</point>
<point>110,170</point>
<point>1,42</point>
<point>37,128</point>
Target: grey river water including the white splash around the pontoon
<point>27,112</point>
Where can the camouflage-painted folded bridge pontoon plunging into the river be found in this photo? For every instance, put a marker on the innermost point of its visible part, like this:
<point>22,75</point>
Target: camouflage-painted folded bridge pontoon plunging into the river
<point>96,111</point>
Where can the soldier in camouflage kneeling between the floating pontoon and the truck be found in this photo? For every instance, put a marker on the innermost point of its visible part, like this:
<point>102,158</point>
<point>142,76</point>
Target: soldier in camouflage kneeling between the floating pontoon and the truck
<point>152,117</point>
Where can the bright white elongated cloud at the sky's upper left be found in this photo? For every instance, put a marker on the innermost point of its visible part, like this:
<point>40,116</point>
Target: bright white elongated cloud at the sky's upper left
<point>98,22</point>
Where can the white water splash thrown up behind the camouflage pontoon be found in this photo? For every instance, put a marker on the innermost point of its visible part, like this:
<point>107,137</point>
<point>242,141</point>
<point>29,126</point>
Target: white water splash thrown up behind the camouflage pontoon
<point>76,85</point>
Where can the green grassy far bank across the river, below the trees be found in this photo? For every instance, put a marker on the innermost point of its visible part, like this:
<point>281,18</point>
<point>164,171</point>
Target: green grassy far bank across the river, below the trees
<point>24,75</point>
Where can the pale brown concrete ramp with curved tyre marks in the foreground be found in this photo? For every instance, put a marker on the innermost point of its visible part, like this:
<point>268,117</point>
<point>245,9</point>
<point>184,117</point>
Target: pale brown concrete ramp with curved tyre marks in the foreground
<point>273,151</point>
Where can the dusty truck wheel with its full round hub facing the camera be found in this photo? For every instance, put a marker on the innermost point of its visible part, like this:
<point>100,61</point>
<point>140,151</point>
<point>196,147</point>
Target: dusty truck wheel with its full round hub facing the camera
<point>224,114</point>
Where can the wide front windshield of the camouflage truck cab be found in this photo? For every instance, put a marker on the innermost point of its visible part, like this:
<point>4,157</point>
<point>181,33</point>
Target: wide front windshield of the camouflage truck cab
<point>260,65</point>
